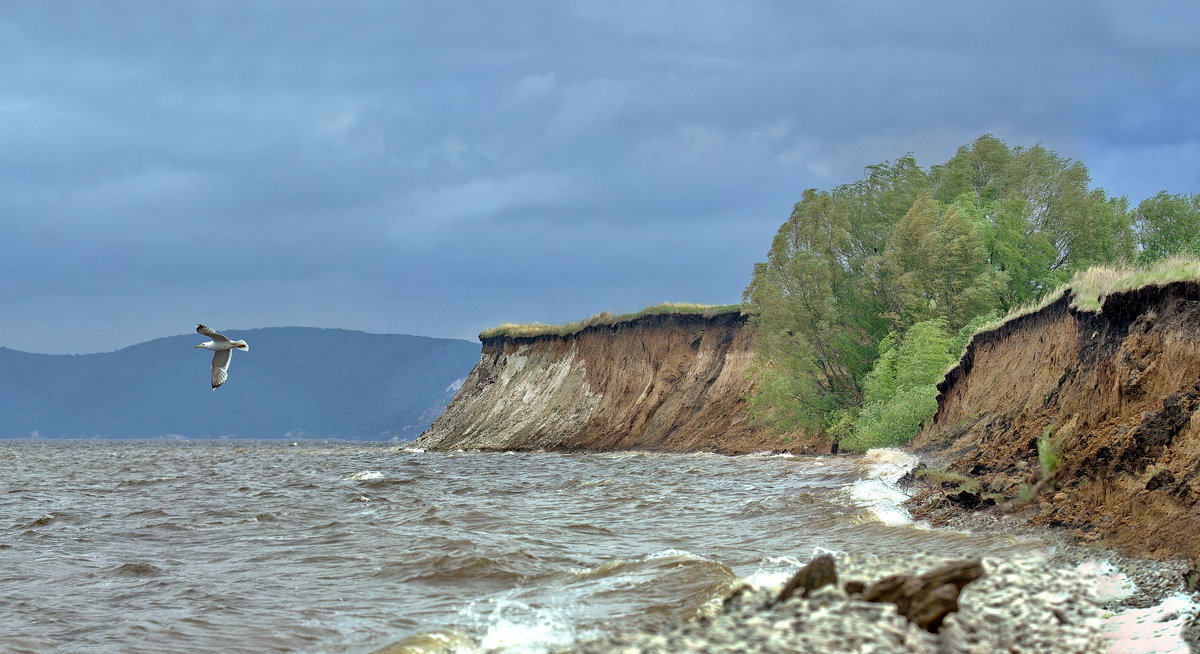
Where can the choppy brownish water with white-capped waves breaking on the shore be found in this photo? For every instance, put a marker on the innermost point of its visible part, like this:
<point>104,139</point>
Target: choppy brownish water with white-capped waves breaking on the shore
<point>247,547</point>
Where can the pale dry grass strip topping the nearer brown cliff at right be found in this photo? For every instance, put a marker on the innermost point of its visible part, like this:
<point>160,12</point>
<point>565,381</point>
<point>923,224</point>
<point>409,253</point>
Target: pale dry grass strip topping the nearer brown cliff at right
<point>1089,287</point>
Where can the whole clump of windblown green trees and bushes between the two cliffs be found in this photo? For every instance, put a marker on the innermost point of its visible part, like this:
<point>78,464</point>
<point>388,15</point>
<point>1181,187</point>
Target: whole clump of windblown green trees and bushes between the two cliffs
<point>871,291</point>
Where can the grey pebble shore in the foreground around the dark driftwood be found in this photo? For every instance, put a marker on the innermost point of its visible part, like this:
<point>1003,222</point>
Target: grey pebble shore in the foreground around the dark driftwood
<point>1069,601</point>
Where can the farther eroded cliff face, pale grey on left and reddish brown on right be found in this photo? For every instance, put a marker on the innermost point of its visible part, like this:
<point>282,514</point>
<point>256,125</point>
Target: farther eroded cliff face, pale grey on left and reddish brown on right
<point>663,382</point>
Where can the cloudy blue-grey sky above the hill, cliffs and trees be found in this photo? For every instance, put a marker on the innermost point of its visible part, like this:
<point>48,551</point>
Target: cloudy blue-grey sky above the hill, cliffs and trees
<point>440,169</point>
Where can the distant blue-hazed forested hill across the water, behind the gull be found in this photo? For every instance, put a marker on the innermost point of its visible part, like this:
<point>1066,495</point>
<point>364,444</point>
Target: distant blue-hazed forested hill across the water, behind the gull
<point>293,383</point>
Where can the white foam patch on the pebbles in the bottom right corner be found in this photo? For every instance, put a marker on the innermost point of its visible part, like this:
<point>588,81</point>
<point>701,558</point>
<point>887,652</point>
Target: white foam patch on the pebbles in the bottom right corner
<point>1154,631</point>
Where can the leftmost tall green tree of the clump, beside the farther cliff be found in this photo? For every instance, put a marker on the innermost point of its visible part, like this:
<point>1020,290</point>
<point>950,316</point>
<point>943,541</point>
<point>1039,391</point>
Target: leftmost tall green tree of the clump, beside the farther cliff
<point>814,310</point>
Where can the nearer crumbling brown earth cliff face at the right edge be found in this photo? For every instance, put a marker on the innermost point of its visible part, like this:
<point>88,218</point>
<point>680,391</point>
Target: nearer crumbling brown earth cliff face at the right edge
<point>1117,393</point>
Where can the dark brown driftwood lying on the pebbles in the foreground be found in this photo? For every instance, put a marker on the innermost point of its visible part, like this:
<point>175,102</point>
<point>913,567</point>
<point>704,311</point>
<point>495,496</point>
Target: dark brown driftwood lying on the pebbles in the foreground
<point>922,599</point>
